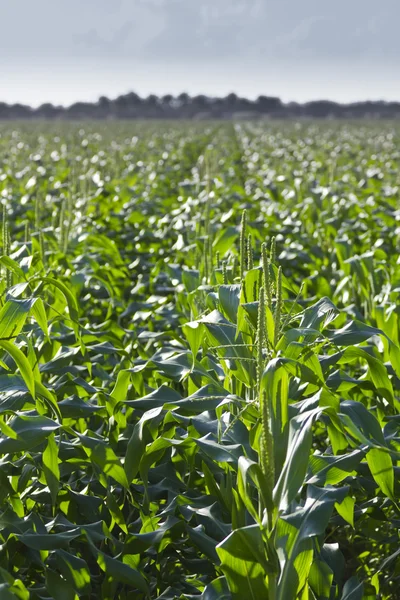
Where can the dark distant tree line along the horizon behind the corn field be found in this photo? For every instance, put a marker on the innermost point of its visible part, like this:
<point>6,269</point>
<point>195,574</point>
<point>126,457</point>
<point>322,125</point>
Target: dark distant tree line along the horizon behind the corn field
<point>132,106</point>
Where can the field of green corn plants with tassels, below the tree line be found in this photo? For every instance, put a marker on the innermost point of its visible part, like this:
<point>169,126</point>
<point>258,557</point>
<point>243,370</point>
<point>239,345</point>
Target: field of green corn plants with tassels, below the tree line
<point>200,372</point>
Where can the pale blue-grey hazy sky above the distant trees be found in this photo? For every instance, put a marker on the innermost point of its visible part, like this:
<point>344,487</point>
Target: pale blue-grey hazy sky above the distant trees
<point>67,50</point>
